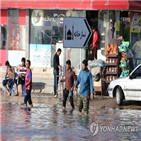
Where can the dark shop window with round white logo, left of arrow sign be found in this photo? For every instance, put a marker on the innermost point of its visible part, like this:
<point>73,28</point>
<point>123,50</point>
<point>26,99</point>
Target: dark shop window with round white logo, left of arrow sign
<point>47,28</point>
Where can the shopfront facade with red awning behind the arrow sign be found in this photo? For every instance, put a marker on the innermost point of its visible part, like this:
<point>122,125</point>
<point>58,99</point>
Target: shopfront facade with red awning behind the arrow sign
<point>34,29</point>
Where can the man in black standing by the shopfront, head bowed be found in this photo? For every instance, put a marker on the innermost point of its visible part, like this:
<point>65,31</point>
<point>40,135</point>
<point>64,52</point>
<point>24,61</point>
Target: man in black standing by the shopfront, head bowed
<point>57,67</point>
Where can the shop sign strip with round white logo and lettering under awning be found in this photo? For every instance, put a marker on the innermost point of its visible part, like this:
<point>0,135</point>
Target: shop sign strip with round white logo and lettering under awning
<point>46,17</point>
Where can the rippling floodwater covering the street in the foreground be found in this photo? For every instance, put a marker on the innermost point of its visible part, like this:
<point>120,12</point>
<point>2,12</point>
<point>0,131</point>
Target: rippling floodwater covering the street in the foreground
<point>49,123</point>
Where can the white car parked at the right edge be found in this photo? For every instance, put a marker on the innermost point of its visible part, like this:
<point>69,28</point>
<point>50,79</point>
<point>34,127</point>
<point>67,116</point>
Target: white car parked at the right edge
<point>127,88</point>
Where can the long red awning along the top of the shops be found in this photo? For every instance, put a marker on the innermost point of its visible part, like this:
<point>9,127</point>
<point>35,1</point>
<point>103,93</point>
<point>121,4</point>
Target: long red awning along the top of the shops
<point>73,4</point>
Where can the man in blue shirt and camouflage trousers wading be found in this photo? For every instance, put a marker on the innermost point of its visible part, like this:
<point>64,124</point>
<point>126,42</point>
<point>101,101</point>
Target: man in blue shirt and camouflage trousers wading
<point>86,88</point>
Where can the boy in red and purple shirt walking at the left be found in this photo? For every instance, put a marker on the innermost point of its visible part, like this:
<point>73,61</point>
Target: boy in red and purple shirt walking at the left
<point>28,85</point>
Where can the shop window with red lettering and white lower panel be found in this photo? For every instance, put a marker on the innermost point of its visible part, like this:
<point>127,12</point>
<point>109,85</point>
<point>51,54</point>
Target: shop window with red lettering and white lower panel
<point>17,42</point>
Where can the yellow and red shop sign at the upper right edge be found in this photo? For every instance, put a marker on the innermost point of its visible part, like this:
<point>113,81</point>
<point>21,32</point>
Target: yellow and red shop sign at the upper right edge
<point>135,24</point>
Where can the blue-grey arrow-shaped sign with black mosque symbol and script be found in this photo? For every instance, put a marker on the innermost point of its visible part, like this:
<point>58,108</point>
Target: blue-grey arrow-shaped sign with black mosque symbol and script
<point>77,32</point>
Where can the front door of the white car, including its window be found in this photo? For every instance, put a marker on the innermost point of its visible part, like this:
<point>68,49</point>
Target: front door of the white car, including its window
<point>133,85</point>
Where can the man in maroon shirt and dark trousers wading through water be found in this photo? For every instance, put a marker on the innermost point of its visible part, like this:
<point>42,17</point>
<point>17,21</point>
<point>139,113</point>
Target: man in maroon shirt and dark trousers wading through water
<point>69,80</point>
